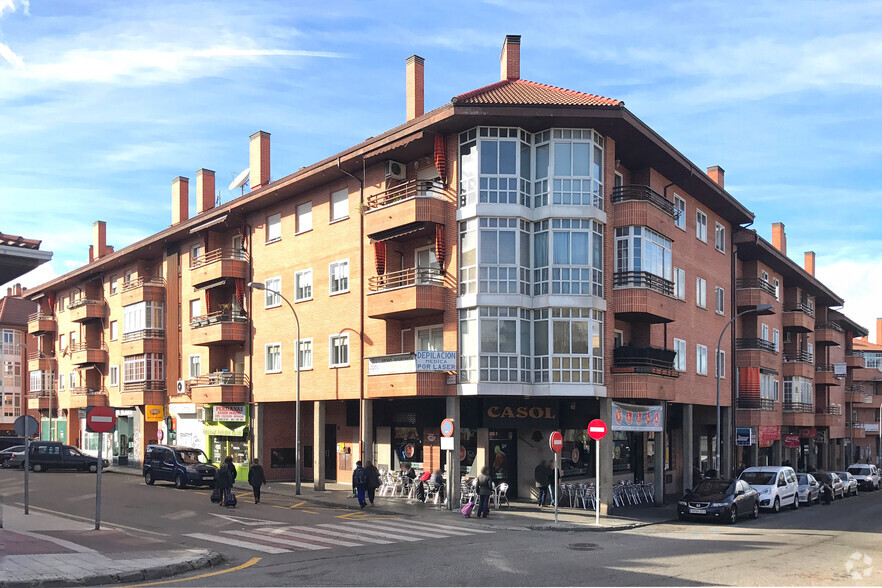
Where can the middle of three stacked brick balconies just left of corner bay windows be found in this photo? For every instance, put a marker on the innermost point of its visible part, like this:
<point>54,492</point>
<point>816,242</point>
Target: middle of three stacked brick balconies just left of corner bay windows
<point>409,293</point>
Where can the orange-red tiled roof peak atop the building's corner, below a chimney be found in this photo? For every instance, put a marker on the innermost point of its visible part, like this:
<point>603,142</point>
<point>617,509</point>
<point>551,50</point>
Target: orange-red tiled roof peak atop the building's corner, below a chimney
<point>526,93</point>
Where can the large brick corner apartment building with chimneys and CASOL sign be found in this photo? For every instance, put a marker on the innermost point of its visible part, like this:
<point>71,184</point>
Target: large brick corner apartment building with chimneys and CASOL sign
<point>577,264</point>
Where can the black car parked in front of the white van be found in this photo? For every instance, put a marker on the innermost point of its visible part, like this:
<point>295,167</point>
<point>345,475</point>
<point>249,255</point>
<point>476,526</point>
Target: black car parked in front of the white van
<point>719,500</point>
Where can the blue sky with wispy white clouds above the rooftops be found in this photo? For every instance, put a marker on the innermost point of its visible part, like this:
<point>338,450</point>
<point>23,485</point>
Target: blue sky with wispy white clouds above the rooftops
<point>102,104</point>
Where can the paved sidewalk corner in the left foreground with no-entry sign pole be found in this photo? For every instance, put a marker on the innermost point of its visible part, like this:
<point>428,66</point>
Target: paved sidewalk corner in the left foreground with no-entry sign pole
<point>48,550</point>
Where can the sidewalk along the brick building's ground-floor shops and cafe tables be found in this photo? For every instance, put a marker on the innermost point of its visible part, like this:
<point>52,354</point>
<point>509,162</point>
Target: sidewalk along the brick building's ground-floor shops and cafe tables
<point>520,516</point>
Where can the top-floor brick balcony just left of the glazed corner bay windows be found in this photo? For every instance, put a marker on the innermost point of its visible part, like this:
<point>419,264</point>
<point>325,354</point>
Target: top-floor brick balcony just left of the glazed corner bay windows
<point>412,203</point>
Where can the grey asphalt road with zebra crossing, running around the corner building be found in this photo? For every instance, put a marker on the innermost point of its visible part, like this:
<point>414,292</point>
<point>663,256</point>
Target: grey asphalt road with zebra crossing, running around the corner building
<point>286,542</point>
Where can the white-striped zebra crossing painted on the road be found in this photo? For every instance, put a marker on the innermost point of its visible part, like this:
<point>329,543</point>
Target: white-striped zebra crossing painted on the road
<point>286,539</point>
